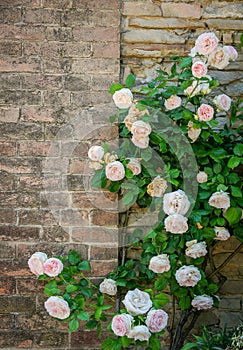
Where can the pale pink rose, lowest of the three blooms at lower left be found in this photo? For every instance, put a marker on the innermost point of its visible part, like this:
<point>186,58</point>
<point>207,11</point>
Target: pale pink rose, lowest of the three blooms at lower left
<point>57,307</point>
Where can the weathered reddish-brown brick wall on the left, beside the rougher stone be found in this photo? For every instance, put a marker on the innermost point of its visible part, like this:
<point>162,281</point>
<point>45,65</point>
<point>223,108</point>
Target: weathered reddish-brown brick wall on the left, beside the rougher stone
<point>57,61</point>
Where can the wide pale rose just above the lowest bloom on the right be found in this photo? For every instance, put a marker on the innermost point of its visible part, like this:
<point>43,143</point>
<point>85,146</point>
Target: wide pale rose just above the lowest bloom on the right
<point>188,276</point>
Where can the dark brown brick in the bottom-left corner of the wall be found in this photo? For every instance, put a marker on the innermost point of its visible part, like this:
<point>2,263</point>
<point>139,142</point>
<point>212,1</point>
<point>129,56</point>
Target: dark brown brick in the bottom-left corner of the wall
<point>19,339</point>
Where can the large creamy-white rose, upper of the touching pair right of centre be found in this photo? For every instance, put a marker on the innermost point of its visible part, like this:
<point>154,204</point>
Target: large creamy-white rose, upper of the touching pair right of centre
<point>176,203</point>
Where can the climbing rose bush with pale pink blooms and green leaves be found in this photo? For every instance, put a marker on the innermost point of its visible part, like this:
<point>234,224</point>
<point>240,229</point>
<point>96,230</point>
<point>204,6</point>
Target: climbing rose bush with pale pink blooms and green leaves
<point>174,160</point>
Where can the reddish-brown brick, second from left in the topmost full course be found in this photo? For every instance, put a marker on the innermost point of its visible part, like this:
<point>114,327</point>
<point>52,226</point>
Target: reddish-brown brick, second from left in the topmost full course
<point>42,16</point>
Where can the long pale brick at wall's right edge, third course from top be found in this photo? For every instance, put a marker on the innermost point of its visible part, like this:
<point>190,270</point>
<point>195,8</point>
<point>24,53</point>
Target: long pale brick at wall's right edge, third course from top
<point>96,34</point>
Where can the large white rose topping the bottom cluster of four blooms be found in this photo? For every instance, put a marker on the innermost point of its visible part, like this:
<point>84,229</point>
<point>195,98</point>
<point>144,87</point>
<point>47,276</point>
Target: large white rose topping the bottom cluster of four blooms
<point>137,302</point>
